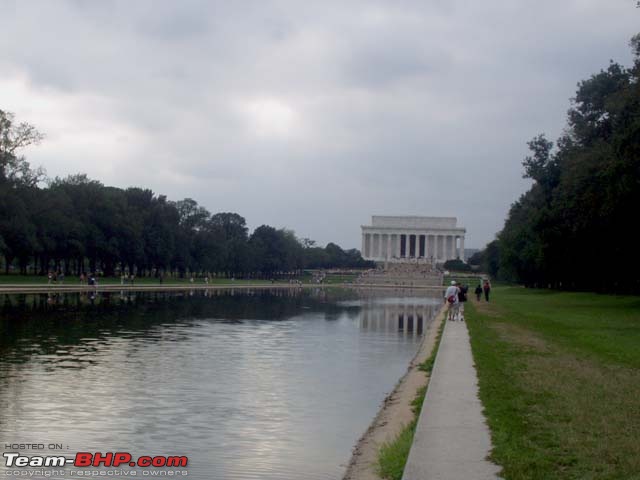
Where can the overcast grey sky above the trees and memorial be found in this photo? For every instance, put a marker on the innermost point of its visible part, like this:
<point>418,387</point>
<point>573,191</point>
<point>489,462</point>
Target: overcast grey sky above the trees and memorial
<point>306,115</point>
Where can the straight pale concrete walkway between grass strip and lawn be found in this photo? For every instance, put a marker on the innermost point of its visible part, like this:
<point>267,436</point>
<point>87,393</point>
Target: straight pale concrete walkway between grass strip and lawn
<point>451,440</point>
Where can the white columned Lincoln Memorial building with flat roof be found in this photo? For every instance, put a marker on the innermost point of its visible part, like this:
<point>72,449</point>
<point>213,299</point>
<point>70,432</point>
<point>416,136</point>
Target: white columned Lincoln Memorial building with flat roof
<point>396,239</point>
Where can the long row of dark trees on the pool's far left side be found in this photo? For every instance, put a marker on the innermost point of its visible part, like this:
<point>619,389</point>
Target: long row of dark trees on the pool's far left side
<point>78,225</point>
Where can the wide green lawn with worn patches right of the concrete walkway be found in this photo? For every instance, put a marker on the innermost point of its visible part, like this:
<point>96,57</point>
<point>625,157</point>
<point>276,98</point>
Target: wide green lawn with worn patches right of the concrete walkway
<point>559,377</point>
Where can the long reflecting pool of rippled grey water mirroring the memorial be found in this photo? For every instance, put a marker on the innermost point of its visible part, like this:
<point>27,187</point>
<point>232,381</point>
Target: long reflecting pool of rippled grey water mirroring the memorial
<point>248,384</point>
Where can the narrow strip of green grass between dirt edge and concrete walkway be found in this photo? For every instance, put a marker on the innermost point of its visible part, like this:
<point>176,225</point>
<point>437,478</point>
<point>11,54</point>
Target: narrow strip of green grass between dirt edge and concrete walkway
<point>392,456</point>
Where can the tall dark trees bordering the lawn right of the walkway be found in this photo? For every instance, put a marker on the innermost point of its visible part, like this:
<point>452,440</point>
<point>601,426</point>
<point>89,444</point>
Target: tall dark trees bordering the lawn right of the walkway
<point>573,229</point>
